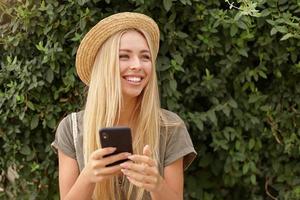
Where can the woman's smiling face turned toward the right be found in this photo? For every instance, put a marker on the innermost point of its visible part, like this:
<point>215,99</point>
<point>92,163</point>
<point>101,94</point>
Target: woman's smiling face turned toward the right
<point>135,63</point>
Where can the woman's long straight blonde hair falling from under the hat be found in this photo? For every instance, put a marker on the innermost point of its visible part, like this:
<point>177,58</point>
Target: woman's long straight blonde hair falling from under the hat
<point>102,109</point>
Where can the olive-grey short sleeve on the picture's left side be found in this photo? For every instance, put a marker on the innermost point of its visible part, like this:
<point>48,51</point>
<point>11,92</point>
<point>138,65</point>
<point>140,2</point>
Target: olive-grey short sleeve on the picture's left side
<point>64,138</point>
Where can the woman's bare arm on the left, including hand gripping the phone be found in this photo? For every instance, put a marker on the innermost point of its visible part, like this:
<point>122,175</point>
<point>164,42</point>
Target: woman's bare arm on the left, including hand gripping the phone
<point>75,185</point>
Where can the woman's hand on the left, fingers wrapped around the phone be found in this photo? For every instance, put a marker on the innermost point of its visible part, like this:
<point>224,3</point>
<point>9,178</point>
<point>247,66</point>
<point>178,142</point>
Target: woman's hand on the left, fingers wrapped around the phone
<point>96,169</point>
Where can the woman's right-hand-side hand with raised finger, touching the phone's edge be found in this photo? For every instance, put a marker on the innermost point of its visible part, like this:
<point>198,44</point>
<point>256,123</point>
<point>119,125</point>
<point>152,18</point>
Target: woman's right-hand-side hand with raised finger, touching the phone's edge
<point>143,171</point>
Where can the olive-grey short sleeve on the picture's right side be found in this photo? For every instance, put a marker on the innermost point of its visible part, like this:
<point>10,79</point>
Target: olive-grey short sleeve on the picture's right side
<point>179,144</point>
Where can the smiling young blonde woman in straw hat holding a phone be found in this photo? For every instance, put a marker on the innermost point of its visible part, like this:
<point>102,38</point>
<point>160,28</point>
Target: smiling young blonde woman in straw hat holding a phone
<point>116,59</point>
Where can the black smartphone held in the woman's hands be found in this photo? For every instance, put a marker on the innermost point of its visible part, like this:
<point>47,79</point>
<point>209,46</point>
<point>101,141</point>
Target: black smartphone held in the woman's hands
<point>119,137</point>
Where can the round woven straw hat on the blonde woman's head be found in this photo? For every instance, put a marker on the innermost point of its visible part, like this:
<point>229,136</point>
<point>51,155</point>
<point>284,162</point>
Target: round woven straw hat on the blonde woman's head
<point>108,26</point>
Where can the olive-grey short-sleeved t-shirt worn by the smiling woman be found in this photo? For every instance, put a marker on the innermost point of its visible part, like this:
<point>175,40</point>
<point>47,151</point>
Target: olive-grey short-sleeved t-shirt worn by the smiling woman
<point>175,141</point>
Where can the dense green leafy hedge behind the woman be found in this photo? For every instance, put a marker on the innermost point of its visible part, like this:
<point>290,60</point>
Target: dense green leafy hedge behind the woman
<point>230,69</point>
